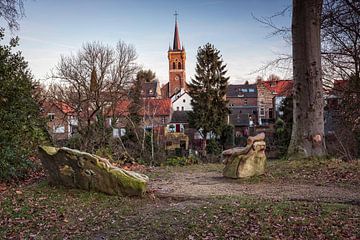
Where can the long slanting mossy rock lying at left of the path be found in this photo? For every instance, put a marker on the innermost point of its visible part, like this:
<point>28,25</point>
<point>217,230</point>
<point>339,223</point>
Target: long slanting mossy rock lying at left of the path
<point>76,169</point>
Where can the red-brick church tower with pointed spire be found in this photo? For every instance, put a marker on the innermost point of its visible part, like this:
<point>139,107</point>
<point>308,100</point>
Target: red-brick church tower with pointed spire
<point>177,60</point>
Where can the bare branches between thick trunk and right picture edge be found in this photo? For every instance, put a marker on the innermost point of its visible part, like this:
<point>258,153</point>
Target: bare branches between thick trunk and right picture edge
<point>341,39</point>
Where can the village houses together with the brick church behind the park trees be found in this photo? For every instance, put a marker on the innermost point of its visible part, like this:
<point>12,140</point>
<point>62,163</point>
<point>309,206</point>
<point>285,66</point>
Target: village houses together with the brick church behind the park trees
<point>165,107</point>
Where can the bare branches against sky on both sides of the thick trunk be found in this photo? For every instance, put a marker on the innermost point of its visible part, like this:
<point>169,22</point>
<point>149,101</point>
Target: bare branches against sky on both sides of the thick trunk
<point>340,37</point>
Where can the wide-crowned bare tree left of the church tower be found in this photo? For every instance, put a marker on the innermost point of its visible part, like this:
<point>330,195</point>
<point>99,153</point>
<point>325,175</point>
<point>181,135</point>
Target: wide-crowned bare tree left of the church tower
<point>93,80</point>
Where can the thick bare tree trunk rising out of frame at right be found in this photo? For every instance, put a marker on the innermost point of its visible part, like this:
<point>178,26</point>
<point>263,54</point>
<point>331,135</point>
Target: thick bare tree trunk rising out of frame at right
<point>307,137</point>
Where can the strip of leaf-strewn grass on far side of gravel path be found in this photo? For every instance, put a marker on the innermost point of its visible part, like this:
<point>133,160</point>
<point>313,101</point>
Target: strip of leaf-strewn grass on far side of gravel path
<point>318,171</point>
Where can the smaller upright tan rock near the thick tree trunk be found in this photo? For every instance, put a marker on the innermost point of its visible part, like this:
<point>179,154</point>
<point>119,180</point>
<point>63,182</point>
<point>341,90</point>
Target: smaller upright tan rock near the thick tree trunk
<point>248,161</point>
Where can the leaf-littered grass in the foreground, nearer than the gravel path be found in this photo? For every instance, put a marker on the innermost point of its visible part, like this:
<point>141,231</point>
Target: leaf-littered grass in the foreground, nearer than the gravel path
<point>44,212</point>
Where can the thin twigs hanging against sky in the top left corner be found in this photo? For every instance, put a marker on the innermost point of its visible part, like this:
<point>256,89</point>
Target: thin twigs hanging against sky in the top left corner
<point>12,11</point>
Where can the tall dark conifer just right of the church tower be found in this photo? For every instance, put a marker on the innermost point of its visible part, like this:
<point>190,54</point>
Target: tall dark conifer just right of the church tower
<point>208,91</point>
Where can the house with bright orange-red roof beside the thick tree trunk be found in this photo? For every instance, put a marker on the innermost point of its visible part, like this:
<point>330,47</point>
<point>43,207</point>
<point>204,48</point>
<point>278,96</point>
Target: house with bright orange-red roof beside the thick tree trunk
<point>267,90</point>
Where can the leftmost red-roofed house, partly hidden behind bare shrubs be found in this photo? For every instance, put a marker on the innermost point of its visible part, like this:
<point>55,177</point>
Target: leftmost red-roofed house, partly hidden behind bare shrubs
<point>62,121</point>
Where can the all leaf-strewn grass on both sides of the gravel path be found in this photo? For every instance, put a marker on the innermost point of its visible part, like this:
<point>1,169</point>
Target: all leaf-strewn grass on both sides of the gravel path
<point>42,212</point>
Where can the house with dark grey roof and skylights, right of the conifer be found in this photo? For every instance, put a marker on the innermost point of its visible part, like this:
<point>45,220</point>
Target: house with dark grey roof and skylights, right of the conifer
<point>242,102</point>
